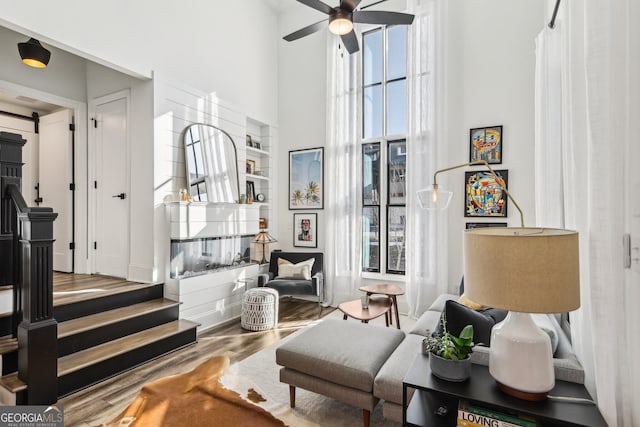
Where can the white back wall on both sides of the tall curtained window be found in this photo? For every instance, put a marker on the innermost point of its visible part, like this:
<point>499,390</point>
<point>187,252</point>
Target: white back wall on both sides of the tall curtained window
<point>490,71</point>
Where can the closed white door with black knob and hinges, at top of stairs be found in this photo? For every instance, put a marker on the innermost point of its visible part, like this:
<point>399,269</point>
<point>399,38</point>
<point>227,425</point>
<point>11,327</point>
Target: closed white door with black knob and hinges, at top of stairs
<point>111,186</point>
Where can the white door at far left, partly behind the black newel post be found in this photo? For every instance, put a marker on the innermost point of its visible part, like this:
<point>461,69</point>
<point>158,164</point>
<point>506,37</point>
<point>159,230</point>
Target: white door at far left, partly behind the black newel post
<point>56,178</point>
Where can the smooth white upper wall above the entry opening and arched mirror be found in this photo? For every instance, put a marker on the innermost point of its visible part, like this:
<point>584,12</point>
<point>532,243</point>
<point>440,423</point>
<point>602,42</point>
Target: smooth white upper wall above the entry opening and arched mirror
<point>226,47</point>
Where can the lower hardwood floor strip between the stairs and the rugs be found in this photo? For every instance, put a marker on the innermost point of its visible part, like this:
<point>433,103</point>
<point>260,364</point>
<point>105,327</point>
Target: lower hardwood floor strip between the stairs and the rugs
<point>101,403</point>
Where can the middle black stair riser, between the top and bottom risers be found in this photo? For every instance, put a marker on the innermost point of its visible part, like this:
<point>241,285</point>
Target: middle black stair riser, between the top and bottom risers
<point>97,336</point>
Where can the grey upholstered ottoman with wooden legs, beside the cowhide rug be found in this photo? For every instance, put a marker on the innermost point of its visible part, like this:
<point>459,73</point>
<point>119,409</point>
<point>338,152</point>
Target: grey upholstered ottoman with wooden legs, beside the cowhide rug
<point>339,360</point>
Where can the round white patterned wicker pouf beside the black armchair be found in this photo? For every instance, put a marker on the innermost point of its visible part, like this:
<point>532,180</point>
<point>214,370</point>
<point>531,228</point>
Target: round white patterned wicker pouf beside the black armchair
<point>259,309</point>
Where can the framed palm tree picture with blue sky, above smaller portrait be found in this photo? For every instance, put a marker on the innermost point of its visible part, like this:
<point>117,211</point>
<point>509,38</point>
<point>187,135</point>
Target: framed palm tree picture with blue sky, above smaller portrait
<point>306,179</point>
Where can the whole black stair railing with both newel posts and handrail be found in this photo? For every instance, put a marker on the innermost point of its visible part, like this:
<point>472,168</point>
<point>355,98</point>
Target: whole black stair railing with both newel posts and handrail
<point>26,260</point>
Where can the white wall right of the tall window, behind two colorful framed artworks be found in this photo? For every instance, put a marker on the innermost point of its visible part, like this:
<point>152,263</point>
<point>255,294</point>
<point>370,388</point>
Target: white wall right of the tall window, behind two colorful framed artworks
<point>491,69</point>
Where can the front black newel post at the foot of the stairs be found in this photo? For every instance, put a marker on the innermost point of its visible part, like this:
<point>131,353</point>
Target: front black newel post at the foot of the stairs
<point>38,331</point>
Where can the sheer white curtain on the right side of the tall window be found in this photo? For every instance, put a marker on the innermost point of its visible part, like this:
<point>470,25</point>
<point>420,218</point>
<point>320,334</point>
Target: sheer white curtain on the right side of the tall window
<point>426,253</point>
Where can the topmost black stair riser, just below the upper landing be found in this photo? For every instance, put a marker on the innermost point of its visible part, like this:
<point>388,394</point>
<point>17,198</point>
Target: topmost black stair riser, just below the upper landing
<point>97,305</point>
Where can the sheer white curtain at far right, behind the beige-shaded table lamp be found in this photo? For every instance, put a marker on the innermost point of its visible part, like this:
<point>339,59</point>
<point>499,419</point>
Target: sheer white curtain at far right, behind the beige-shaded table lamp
<point>595,132</point>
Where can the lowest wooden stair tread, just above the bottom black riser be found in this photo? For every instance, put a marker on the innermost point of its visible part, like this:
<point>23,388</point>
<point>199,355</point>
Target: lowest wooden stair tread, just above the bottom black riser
<point>90,356</point>
